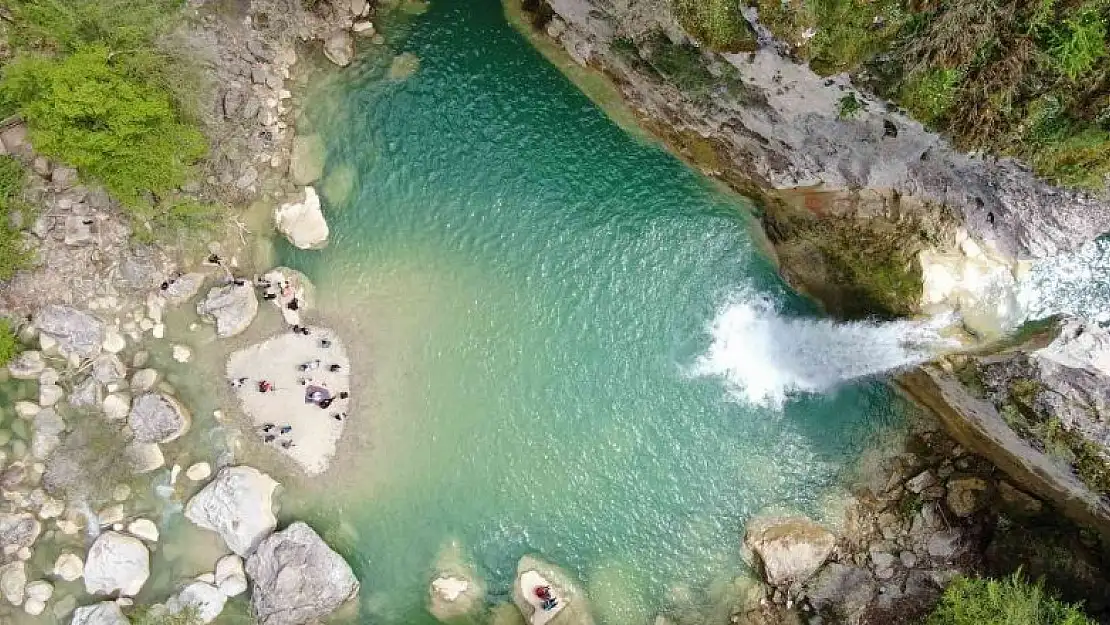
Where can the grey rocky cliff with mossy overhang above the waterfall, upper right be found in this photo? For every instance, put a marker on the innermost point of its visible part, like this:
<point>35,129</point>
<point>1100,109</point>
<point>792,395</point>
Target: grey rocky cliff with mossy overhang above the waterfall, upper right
<point>850,198</point>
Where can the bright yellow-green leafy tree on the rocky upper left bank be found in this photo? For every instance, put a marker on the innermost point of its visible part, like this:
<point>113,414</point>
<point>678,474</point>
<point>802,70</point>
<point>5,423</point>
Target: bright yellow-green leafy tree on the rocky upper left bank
<point>87,112</point>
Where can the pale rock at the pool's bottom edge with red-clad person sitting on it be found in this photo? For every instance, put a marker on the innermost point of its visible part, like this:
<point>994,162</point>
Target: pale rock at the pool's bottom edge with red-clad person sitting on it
<point>572,609</point>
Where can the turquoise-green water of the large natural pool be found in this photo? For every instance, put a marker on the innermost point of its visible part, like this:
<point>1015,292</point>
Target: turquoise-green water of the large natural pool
<point>528,293</point>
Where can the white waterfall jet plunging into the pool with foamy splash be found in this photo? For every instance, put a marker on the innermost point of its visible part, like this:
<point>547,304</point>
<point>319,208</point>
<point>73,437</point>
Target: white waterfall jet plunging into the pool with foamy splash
<point>765,357</point>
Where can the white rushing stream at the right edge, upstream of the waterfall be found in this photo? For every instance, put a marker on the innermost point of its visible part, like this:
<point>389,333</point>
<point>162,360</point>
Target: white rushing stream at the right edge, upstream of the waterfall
<point>1077,284</point>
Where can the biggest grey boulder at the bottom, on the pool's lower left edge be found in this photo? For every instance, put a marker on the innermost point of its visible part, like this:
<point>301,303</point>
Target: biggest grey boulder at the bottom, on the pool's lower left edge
<point>298,579</point>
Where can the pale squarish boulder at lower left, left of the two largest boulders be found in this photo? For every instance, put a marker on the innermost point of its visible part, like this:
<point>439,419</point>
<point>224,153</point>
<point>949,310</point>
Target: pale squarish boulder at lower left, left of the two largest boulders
<point>117,563</point>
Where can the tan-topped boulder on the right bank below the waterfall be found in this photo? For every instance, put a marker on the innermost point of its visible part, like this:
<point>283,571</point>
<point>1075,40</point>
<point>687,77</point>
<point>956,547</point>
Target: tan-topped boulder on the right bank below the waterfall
<point>790,550</point>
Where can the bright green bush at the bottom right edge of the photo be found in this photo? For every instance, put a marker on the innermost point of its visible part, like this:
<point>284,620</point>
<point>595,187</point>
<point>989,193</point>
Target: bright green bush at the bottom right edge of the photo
<point>1013,601</point>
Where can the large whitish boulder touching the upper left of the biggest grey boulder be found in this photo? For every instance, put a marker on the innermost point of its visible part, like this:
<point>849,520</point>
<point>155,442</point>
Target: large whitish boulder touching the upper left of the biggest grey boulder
<point>238,506</point>
